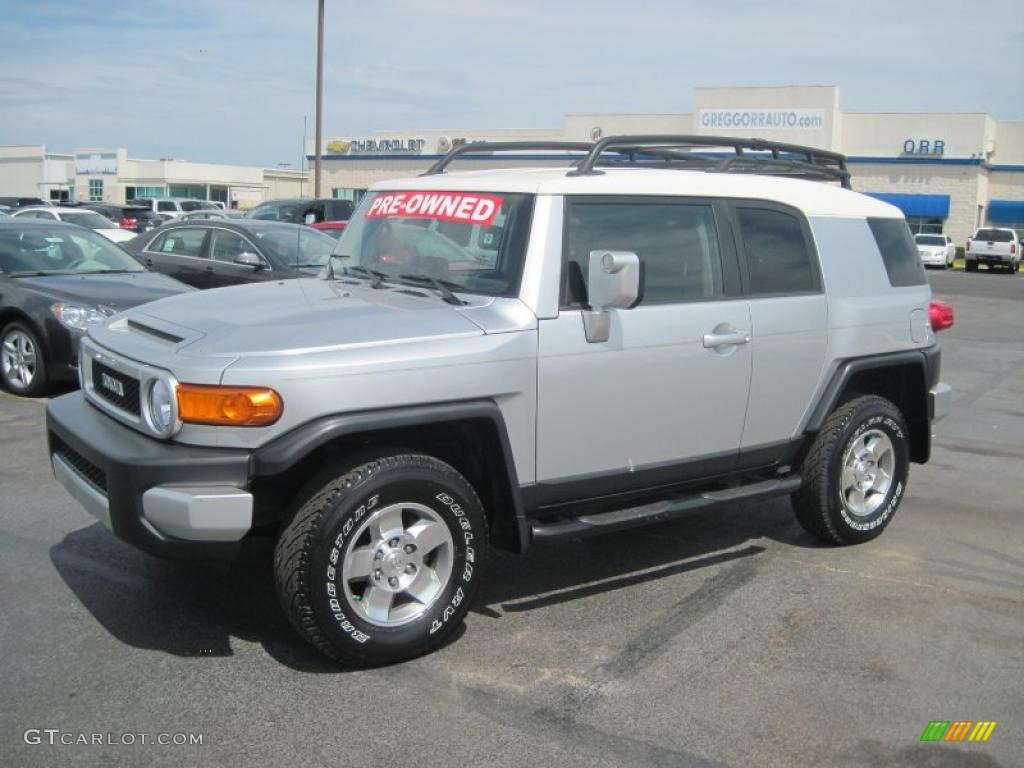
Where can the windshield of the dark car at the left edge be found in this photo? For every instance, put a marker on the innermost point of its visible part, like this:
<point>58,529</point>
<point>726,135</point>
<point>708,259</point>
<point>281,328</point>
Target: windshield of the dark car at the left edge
<point>61,250</point>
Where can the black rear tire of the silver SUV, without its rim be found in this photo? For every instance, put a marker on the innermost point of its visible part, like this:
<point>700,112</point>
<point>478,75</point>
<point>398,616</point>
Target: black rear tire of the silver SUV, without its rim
<point>820,504</point>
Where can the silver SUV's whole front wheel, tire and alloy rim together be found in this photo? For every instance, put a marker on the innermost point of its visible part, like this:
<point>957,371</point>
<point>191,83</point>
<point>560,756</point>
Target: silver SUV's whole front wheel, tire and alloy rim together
<point>382,562</point>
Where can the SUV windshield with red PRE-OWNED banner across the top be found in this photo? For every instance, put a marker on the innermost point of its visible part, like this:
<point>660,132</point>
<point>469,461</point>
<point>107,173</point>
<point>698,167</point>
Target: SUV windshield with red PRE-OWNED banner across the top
<point>474,242</point>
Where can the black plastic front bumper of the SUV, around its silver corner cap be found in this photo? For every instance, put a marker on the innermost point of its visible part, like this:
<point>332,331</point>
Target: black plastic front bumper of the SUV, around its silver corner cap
<point>134,463</point>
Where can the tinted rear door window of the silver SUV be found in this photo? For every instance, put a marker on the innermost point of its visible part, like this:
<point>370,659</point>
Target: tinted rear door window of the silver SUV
<point>779,259</point>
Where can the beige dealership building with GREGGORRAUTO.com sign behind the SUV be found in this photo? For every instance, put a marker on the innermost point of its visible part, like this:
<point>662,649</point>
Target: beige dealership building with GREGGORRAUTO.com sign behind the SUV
<point>949,173</point>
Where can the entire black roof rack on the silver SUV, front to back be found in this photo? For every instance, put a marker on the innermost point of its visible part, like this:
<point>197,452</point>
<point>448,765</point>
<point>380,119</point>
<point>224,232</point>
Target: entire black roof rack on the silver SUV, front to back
<point>690,152</point>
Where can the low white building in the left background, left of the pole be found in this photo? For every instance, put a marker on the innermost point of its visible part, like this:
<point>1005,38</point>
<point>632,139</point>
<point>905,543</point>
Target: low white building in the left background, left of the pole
<point>106,175</point>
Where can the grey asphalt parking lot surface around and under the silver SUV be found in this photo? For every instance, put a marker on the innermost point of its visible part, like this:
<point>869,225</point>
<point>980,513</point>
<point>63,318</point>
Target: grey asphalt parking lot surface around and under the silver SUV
<point>728,639</point>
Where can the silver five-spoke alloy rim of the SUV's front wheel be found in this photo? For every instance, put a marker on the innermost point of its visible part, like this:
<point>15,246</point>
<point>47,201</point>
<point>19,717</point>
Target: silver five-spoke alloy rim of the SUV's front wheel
<point>398,564</point>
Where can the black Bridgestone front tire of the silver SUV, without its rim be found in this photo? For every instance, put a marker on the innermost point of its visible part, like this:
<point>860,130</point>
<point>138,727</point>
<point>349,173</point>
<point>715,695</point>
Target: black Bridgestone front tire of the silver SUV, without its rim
<point>310,559</point>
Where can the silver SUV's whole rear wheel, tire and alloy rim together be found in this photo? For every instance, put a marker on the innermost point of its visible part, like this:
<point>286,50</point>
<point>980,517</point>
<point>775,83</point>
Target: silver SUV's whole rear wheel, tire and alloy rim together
<point>856,473</point>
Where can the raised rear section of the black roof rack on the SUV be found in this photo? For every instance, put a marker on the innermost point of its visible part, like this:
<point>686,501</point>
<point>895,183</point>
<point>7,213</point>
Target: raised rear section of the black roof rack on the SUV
<point>821,163</point>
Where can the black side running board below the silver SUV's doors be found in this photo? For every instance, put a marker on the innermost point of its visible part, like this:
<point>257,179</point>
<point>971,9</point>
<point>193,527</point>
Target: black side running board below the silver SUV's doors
<point>647,515</point>
